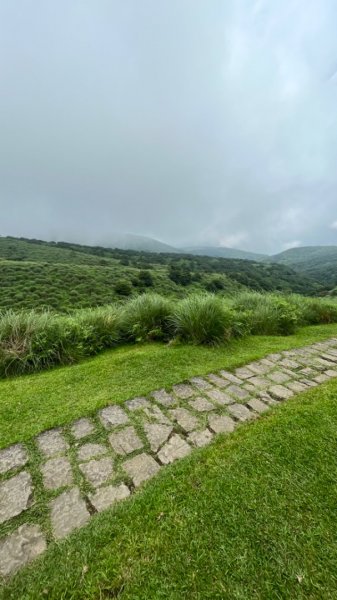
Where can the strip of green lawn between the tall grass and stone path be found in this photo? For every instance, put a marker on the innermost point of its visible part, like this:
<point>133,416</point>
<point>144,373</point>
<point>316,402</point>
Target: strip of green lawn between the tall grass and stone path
<point>30,404</point>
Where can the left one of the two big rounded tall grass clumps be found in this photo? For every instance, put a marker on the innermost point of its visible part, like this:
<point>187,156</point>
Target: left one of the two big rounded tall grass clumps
<point>148,317</point>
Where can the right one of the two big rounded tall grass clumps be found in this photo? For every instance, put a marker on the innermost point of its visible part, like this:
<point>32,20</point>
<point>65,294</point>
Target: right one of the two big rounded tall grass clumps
<point>203,319</point>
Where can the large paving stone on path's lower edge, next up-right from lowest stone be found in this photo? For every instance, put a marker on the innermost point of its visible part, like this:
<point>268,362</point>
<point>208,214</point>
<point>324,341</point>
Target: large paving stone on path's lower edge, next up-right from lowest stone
<point>68,512</point>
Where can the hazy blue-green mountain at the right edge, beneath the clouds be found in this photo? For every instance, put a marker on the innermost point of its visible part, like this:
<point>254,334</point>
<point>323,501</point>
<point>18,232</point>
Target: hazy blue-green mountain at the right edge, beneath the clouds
<point>318,262</point>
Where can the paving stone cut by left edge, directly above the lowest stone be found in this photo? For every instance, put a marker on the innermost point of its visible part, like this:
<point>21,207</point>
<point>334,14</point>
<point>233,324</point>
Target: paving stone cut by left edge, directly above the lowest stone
<point>15,495</point>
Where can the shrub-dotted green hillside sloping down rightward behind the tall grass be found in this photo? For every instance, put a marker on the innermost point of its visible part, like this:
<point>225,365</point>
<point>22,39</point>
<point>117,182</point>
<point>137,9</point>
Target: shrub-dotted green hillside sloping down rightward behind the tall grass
<point>63,276</point>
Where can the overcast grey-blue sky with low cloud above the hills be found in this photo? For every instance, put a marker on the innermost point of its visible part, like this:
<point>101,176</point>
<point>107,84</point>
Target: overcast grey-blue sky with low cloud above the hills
<point>197,122</point>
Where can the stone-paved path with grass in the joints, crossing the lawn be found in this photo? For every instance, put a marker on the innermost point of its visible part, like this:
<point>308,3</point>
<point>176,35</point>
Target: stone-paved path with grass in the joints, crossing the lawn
<point>71,473</point>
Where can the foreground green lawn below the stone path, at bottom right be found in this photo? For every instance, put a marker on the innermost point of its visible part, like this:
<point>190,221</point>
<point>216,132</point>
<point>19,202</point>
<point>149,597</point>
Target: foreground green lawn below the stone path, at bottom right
<point>253,516</point>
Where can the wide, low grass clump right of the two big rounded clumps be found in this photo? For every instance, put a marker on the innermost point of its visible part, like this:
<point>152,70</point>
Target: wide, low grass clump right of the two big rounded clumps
<point>267,314</point>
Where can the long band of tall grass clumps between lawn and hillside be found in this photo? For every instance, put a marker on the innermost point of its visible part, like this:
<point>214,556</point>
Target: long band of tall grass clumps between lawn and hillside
<point>36,340</point>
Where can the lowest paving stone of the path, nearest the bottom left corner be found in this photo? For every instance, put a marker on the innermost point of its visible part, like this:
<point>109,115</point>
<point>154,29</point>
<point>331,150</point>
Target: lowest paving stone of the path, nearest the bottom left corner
<point>20,548</point>
